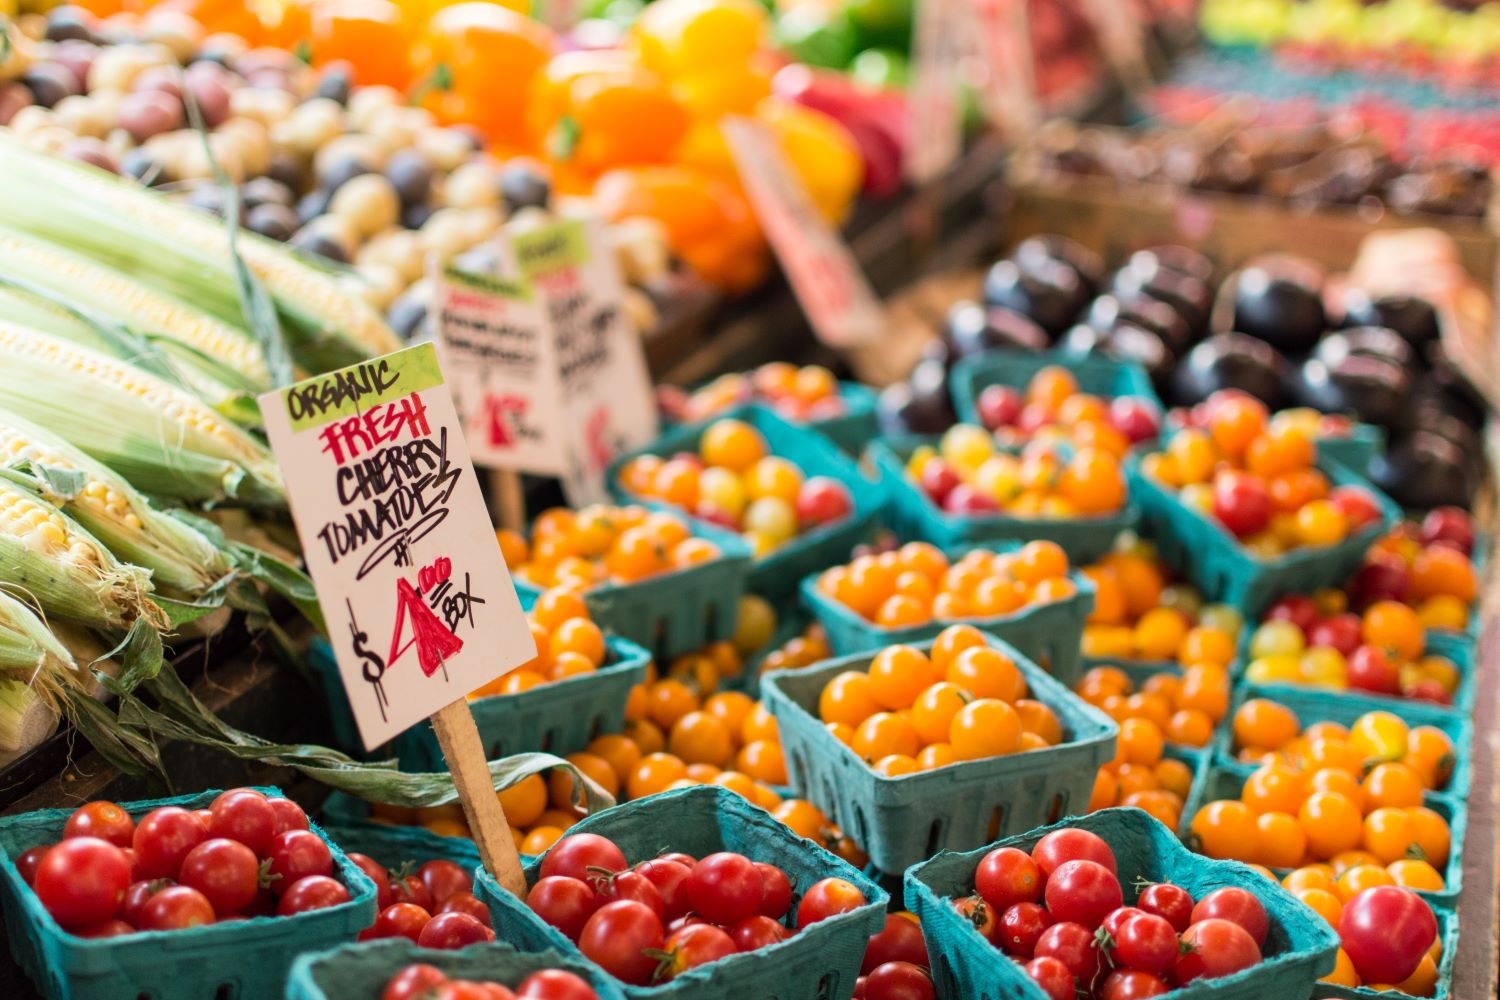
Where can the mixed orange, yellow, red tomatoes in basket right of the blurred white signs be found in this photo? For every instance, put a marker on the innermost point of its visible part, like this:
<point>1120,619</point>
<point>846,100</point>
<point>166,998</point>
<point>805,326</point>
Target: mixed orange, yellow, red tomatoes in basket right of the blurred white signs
<point>737,484</point>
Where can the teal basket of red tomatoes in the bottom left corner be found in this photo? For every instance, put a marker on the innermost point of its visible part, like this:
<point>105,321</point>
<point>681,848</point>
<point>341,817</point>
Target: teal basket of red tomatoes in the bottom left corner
<point>193,899</point>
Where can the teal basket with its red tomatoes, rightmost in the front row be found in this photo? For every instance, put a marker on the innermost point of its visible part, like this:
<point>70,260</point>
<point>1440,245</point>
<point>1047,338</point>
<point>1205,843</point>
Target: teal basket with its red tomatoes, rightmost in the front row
<point>1045,917</point>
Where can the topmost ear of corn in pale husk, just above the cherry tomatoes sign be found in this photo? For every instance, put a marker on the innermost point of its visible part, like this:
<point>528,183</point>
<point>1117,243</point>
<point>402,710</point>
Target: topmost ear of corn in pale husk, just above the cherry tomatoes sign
<point>185,254</point>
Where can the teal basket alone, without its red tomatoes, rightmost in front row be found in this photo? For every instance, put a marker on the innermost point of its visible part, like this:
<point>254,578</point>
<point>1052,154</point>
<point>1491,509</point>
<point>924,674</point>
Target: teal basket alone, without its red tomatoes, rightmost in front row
<point>1298,950</point>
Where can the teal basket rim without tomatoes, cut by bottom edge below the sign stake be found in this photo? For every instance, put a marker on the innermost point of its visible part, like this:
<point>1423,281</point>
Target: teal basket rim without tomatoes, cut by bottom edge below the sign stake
<point>361,972</point>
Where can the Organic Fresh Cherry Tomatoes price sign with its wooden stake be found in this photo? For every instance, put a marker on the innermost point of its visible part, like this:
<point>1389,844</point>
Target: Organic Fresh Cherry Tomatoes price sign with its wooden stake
<point>394,527</point>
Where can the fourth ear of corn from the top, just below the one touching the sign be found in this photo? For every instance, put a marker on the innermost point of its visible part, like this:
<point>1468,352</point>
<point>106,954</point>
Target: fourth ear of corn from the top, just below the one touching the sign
<point>181,560</point>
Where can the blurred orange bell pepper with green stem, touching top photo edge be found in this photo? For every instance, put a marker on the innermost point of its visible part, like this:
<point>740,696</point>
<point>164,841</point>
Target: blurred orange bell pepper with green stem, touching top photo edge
<point>476,65</point>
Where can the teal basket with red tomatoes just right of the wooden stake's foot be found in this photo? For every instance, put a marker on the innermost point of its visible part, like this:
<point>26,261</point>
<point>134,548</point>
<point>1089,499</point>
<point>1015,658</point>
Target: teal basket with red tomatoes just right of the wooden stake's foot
<point>689,894</point>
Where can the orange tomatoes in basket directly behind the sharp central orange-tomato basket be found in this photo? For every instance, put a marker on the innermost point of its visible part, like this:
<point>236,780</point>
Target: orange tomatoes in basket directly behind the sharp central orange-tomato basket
<point>917,584</point>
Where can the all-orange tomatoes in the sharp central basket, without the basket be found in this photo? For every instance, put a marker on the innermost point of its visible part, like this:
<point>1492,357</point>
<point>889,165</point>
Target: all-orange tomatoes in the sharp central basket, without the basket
<point>917,711</point>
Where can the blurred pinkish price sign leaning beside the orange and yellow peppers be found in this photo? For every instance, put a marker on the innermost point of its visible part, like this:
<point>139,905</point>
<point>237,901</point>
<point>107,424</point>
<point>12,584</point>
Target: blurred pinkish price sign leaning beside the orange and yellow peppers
<point>823,272</point>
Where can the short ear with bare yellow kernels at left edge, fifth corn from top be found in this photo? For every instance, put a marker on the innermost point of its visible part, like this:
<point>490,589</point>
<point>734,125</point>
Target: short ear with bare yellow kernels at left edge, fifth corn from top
<point>52,561</point>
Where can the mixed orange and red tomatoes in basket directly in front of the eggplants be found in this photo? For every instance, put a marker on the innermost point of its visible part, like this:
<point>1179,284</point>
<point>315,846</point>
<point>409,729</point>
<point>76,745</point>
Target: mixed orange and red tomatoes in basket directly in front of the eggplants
<point>1256,478</point>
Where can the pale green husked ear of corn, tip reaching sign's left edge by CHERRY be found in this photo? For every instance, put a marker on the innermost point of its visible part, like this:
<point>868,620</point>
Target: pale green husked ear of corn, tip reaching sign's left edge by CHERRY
<point>158,437</point>
